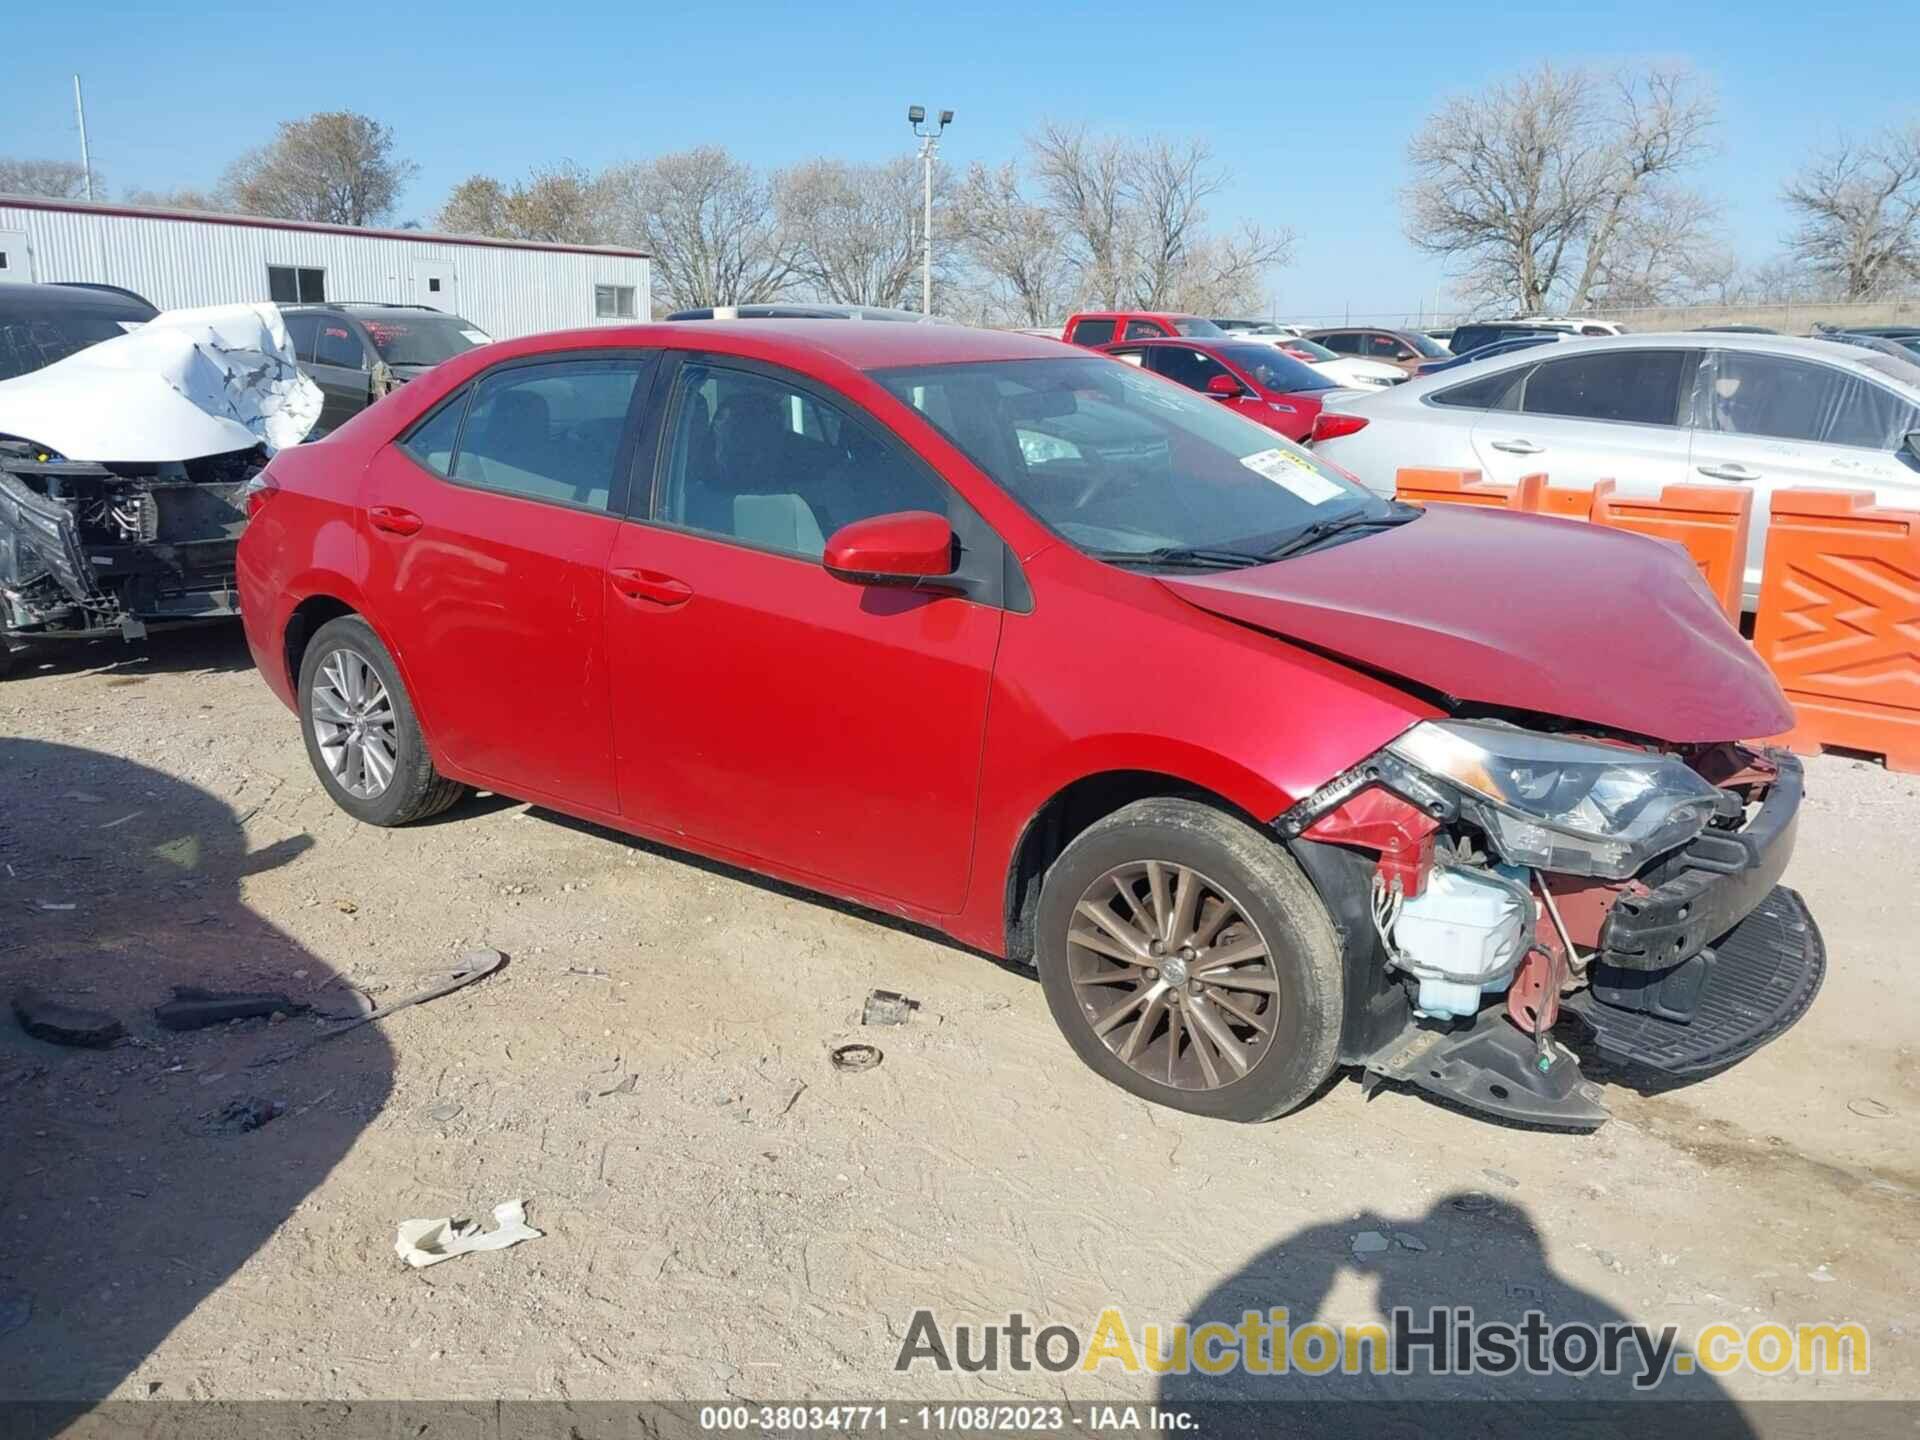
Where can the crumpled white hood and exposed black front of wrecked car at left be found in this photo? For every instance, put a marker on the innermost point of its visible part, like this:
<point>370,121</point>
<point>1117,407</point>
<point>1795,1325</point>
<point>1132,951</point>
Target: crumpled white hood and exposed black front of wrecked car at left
<point>124,473</point>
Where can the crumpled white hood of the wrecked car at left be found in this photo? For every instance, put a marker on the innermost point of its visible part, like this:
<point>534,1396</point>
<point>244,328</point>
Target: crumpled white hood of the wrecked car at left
<point>187,383</point>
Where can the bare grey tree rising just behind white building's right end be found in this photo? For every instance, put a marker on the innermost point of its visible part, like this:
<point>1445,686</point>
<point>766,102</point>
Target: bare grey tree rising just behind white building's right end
<point>708,222</point>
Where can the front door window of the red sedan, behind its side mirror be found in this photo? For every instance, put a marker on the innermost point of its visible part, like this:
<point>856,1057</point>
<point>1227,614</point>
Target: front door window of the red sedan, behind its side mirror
<point>771,466</point>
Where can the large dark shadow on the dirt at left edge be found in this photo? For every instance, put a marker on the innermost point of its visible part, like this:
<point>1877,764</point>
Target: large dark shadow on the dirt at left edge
<point>132,1186</point>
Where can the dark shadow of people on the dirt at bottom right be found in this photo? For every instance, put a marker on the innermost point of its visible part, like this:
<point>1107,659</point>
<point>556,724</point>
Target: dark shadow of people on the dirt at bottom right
<point>1468,1253</point>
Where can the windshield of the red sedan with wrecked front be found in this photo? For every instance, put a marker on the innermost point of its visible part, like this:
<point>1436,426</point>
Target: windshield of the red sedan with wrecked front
<point>1124,464</point>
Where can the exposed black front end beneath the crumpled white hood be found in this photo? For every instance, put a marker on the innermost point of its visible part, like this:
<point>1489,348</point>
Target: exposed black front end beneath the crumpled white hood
<point>110,550</point>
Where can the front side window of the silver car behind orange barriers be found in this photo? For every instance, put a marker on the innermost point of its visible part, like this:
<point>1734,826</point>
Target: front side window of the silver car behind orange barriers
<point>1752,395</point>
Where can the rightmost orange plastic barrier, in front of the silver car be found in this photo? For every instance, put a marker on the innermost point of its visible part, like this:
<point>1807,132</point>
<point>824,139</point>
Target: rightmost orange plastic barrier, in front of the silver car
<point>1840,610</point>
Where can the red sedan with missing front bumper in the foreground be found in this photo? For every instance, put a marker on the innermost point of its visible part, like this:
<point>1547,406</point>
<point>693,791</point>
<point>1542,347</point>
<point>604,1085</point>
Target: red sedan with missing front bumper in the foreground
<point>1260,773</point>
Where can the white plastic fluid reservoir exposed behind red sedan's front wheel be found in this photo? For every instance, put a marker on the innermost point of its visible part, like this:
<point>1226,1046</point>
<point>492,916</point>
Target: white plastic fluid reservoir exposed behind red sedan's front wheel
<point>1464,936</point>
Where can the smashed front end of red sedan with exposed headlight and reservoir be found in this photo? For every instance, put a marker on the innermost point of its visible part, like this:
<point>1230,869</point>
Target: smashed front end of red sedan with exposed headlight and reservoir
<point>1493,880</point>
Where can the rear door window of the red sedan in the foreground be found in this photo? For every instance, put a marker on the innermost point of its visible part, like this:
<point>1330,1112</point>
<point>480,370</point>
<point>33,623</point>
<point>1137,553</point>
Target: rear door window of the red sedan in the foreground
<point>546,431</point>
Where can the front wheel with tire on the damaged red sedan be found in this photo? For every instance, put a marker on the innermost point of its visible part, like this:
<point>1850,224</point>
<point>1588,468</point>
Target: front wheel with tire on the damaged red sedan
<point>1278,1011</point>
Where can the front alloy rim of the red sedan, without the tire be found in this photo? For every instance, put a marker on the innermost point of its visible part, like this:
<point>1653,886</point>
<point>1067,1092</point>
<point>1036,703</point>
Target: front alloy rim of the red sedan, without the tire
<point>1172,976</point>
